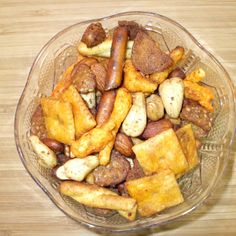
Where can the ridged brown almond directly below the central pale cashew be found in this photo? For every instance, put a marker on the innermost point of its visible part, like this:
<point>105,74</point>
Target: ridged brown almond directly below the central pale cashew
<point>124,144</point>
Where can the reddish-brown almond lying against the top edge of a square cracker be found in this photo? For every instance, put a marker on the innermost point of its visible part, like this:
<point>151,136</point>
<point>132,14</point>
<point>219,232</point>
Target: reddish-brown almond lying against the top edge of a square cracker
<point>155,127</point>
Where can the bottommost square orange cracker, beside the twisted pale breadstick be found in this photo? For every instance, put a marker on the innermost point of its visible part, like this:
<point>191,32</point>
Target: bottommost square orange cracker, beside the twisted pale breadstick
<point>155,193</point>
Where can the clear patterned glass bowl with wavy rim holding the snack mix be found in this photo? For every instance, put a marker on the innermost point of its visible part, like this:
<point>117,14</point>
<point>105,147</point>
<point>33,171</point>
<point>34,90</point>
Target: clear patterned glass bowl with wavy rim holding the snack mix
<point>60,52</point>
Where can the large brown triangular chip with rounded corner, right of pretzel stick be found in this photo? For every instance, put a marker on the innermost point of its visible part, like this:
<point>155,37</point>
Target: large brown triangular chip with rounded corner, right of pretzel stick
<point>147,57</point>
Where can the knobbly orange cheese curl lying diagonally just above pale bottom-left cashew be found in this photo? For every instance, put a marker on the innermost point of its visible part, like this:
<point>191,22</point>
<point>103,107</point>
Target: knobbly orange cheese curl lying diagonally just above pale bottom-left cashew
<point>93,141</point>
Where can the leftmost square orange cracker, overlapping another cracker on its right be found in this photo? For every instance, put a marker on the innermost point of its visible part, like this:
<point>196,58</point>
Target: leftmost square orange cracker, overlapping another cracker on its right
<point>59,120</point>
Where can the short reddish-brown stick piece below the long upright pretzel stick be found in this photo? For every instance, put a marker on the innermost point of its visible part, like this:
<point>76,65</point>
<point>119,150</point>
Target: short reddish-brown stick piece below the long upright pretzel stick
<point>105,106</point>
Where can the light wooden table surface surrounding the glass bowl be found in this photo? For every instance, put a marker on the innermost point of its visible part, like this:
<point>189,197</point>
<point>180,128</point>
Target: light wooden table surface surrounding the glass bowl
<point>25,26</point>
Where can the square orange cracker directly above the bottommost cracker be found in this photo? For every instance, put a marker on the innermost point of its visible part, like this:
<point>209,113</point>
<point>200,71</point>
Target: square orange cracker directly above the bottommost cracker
<point>162,151</point>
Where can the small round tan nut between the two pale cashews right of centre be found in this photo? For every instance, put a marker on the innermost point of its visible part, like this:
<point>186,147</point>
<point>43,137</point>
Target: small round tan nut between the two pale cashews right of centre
<point>155,108</point>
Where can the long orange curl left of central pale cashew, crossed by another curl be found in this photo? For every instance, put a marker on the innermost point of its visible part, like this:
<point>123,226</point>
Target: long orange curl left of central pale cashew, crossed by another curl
<point>121,108</point>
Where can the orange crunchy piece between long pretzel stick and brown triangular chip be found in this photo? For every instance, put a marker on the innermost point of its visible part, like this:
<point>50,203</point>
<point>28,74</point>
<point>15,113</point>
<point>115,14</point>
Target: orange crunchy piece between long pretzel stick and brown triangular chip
<point>134,81</point>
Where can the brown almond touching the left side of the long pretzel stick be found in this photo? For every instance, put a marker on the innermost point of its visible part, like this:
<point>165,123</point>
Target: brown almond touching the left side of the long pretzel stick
<point>100,75</point>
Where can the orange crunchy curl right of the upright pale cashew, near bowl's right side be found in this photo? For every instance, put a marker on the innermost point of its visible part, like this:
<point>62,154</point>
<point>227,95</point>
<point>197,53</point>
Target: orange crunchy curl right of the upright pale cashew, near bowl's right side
<point>199,93</point>
